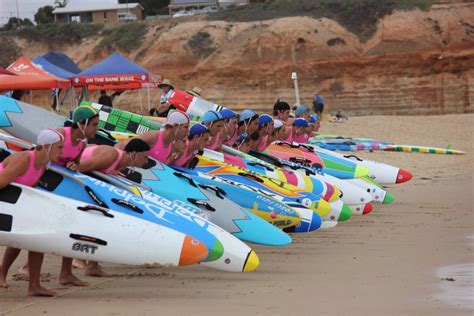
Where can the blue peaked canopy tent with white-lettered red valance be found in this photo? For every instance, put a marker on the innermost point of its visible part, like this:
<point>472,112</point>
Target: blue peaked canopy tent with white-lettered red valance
<point>114,70</point>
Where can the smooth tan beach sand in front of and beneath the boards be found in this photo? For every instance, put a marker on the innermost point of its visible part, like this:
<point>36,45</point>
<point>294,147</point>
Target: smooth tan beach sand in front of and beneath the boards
<point>386,263</point>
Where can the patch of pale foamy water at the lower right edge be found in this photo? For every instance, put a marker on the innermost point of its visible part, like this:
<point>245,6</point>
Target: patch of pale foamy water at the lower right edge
<point>460,292</point>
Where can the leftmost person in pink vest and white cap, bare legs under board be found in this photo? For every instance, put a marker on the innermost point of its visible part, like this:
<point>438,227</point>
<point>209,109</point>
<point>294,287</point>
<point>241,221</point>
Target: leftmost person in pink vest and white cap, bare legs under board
<point>26,168</point>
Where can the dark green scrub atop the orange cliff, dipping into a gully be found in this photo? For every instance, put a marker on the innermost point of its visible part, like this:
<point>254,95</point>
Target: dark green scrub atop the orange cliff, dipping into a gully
<point>358,16</point>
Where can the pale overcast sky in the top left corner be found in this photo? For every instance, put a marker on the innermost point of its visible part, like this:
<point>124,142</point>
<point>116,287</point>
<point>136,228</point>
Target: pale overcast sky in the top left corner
<point>27,8</point>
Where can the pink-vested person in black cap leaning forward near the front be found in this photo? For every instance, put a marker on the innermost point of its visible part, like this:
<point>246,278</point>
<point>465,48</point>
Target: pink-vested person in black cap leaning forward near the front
<point>110,160</point>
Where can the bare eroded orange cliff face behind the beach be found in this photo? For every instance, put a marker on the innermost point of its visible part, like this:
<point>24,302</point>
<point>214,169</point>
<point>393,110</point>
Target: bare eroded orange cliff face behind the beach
<point>416,63</point>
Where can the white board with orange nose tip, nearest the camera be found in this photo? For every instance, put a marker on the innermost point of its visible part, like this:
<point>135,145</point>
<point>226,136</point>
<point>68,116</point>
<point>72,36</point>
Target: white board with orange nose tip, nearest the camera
<point>39,221</point>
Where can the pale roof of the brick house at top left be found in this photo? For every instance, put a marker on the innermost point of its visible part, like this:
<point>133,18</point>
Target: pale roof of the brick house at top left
<point>92,5</point>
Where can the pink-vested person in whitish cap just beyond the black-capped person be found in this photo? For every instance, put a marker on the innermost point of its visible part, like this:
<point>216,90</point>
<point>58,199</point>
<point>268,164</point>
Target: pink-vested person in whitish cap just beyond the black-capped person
<point>163,142</point>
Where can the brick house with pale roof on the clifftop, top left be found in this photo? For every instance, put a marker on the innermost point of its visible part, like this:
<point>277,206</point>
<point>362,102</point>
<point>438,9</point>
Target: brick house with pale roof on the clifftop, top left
<point>103,11</point>
